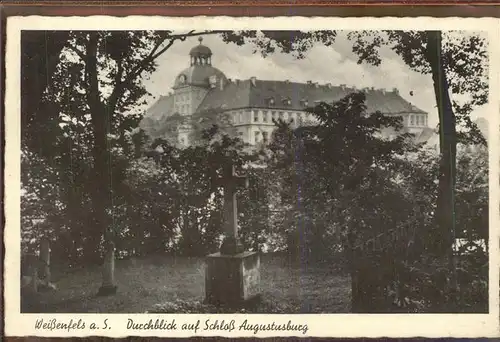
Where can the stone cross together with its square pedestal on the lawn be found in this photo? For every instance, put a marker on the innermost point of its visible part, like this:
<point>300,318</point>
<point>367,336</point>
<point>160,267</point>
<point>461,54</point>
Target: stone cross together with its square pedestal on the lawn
<point>232,276</point>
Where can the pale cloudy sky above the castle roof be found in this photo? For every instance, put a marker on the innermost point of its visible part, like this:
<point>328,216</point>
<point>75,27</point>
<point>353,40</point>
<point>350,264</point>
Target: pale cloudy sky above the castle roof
<point>335,64</point>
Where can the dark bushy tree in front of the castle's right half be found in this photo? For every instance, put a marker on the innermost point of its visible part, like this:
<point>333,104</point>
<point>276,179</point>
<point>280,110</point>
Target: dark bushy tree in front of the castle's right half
<point>353,168</point>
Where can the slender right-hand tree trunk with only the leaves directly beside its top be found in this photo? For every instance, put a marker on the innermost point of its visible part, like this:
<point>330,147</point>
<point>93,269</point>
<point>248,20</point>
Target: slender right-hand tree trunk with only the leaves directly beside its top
<point>457,64</point>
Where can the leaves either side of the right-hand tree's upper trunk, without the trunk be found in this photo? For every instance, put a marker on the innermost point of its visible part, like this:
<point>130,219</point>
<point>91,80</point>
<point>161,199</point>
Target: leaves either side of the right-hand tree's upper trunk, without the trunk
<point>464,58</point>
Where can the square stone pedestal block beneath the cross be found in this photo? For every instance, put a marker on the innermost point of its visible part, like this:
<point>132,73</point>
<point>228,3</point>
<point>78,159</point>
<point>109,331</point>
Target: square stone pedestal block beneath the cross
<point>232,280</point>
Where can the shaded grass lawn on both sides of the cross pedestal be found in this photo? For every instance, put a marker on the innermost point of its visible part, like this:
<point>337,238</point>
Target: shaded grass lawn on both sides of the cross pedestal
<point>143,283</point>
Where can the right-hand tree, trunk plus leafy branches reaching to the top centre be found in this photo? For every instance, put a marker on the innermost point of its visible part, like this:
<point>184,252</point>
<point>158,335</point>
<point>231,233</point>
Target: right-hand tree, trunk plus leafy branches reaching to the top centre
<point>458,64</point>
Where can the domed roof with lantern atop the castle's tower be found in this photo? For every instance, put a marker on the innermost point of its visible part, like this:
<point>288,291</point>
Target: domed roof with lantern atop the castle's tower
<point>201,73</point>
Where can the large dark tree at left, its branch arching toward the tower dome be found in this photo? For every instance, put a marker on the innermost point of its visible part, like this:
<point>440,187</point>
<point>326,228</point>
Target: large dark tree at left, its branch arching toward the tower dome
<point>95,79</point>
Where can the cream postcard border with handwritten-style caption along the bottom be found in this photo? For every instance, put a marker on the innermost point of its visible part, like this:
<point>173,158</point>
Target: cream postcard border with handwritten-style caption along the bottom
<point>340,325</point>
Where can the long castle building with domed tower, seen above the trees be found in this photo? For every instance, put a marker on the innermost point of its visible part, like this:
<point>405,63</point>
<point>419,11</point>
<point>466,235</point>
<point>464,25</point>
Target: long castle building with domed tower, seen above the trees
<point>251,104</point>
